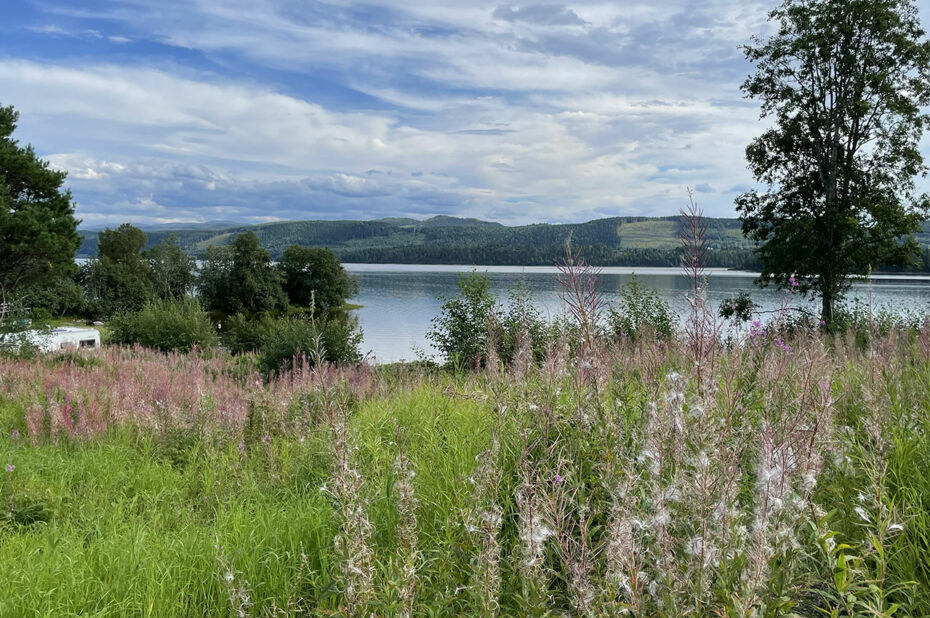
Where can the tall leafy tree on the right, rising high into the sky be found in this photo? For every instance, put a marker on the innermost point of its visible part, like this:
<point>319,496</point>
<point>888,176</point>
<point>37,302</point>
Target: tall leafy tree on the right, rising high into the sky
<point>843,82</point>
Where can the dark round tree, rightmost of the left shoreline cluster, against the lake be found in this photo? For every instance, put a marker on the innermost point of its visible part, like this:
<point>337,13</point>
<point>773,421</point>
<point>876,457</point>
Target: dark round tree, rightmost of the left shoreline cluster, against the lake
<point>314,276</point>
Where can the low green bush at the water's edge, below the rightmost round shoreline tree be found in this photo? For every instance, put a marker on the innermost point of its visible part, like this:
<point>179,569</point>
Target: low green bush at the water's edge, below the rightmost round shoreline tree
<point>334,341</point>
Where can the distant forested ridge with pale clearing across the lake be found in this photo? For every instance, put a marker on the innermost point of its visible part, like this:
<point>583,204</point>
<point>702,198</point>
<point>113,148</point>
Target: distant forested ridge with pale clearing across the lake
<point>615,241</point>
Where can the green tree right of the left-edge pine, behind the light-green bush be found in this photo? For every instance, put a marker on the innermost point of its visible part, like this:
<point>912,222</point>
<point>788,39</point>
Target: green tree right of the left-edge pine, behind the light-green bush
<point>119,280</point>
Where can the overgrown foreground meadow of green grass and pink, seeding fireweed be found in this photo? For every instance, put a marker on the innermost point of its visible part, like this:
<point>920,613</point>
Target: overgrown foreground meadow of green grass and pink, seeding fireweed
<point>690,475</point>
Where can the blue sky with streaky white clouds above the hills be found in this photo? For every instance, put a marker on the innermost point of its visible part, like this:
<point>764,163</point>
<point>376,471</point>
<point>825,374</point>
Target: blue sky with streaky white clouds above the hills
<point>260,110</point>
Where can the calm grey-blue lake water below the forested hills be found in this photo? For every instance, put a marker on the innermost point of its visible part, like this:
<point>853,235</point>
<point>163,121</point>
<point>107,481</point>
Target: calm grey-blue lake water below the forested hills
<point>399,301</point>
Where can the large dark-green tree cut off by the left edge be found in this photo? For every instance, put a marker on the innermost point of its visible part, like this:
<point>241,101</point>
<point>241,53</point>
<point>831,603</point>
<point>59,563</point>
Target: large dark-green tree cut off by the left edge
<point>38,230</point>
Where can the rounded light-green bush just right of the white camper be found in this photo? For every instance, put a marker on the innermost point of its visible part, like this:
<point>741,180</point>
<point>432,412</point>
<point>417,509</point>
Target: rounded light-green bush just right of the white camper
<point>165,325</point>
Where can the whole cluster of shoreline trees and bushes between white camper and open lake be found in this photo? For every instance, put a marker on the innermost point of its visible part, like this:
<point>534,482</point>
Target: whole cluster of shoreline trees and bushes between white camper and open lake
<point>147,293</point>
